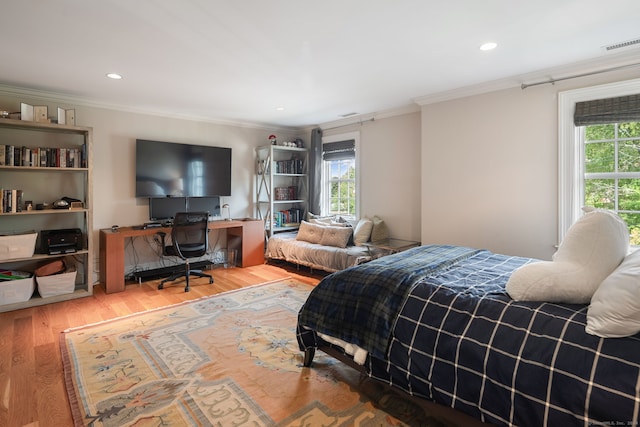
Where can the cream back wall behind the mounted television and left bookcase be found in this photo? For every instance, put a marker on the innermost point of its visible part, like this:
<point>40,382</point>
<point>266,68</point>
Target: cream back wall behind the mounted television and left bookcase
<point>114,135</point>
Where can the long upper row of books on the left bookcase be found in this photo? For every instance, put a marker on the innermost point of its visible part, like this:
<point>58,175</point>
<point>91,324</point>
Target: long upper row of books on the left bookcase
<point>75,157</point>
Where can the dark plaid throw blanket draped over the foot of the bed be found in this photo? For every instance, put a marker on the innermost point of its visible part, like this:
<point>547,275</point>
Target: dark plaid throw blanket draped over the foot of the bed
<point>359,305</point>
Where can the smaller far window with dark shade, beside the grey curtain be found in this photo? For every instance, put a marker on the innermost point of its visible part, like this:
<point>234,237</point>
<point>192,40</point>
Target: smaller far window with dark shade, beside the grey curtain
<point>339,182</point>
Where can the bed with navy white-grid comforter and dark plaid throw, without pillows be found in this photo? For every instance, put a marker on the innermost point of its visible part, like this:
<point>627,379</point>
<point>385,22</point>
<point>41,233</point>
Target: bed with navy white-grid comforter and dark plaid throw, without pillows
<point>437,322</point>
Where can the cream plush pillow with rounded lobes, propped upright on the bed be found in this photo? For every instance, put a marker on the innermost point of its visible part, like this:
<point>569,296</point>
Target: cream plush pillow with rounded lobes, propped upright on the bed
<point>593,247</point>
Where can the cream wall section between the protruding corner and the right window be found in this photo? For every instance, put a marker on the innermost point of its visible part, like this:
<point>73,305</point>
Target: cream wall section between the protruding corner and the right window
<point>489,169</point>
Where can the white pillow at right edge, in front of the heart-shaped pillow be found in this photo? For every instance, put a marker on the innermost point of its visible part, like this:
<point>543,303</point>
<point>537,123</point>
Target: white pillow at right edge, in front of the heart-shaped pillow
<point>615,306</point>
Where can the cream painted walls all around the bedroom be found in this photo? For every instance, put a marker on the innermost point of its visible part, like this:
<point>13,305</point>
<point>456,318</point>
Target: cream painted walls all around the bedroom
<point>478,171</point>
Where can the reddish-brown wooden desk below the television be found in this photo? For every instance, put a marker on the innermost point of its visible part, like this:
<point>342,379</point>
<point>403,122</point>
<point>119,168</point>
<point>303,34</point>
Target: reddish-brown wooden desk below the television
<point>246,236</point>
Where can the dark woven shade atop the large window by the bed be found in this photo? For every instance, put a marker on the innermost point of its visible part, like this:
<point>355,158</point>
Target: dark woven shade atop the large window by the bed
<point>610,110</point>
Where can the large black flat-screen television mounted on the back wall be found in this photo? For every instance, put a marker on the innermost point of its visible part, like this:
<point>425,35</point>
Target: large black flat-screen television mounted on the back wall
<point>181,170</point>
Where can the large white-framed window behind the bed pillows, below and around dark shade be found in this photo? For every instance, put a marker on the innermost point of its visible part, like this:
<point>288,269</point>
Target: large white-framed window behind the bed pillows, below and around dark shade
<point>596,161</point>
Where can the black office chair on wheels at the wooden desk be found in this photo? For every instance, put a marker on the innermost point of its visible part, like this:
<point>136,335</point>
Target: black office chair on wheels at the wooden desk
<point>190,239</point>
